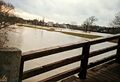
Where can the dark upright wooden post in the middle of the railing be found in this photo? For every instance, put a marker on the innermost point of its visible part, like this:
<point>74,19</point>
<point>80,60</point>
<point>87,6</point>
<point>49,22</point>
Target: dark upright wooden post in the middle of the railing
<point>84,61</point>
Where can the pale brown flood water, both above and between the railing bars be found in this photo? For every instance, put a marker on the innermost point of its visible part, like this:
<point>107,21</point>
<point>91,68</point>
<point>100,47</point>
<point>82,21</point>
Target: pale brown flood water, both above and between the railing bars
<point>27,39</point>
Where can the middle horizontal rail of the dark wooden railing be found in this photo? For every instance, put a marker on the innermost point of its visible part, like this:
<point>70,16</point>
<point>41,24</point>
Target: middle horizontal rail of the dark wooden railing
<point>60,63</point>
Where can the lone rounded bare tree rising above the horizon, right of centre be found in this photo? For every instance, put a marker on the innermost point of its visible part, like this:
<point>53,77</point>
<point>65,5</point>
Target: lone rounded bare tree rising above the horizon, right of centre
<point>88,22</point>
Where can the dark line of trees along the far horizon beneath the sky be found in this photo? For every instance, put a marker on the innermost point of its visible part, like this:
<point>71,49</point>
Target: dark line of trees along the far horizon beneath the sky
<point>87,26</point>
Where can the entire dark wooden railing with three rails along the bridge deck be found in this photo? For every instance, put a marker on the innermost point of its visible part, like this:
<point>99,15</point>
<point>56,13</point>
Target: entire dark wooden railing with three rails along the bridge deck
<point>82,69</point>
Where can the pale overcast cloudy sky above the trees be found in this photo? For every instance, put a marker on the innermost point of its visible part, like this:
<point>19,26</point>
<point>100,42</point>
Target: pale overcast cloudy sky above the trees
<point>67,11</point>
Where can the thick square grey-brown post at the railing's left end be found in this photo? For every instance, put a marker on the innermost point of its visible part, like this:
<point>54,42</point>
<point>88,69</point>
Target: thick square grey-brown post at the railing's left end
<point>10,59</point>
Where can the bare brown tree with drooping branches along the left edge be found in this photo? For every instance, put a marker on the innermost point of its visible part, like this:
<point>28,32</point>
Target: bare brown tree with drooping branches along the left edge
<point>6,18</point>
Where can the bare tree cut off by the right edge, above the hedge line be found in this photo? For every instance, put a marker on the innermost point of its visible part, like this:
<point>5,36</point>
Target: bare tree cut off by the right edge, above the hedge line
<point>116,21</point>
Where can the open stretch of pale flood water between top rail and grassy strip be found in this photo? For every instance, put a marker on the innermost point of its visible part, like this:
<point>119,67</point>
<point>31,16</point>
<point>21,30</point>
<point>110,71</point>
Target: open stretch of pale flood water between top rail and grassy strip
<point>28,39</point>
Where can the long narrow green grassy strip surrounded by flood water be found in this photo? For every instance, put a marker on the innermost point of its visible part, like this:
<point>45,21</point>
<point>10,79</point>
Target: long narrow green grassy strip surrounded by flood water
<point>69,33</point>
